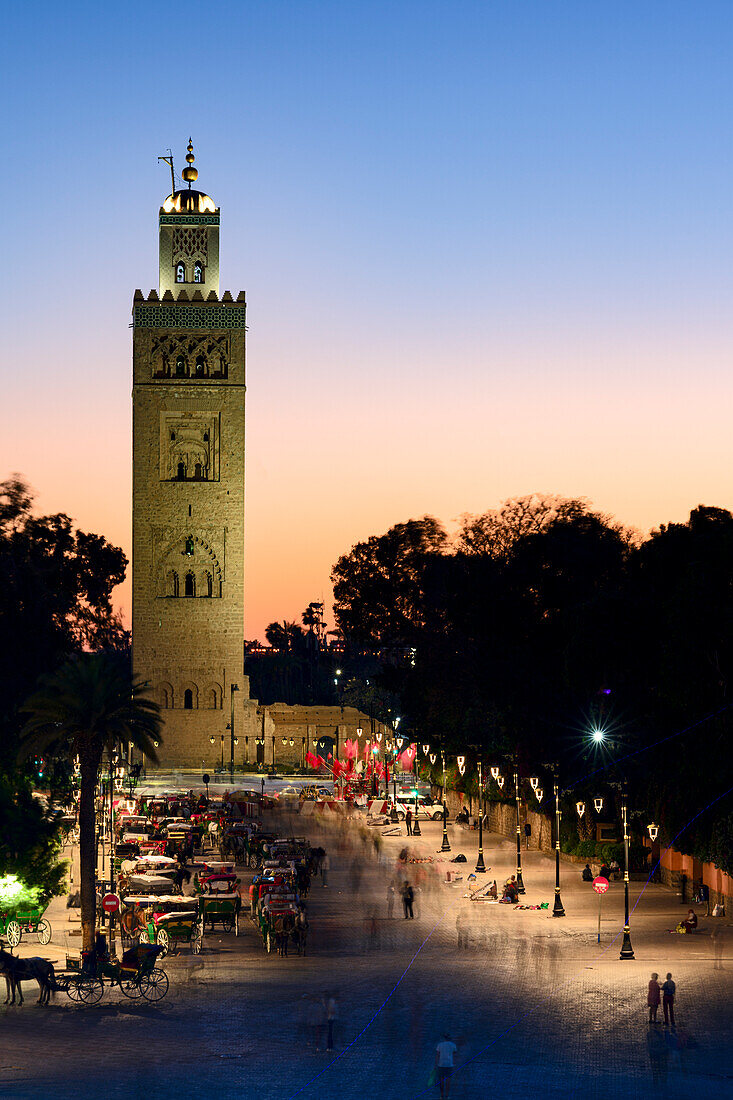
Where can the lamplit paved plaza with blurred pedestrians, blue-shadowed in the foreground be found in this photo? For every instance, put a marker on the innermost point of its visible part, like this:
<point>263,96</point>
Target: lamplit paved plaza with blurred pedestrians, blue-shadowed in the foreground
<point>538,1007</point>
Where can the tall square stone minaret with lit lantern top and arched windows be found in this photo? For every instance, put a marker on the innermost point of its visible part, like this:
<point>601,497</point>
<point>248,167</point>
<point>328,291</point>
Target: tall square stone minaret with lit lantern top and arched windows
<point>189,486</point>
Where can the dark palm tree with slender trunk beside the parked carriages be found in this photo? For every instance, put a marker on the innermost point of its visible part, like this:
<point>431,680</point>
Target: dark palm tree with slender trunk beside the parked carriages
<point>86,707</point>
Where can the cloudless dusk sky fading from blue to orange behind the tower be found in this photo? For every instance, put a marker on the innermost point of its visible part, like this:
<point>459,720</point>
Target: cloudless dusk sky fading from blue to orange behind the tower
<point>487,250</point>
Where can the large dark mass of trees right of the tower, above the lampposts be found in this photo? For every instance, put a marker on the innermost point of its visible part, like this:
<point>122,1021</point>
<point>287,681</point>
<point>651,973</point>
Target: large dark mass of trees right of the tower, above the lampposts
<point>545,619</point>
